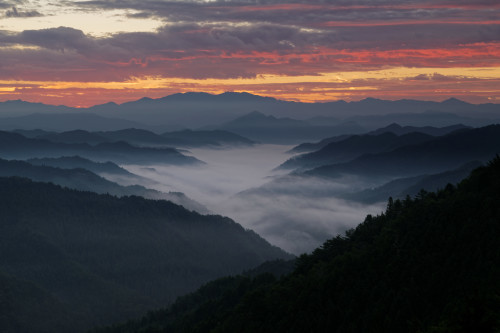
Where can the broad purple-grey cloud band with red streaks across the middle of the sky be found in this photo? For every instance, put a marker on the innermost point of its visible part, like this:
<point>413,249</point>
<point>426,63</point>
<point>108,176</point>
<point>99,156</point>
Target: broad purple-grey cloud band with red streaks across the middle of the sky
<point>196,50</point>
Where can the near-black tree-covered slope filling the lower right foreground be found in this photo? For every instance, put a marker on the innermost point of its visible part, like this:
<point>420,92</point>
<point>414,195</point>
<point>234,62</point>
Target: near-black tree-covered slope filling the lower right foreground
<point>427,264</point>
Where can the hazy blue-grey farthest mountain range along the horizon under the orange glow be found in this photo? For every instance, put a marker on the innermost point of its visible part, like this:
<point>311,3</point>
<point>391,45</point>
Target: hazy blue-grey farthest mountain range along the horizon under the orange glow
<point>195,110</point>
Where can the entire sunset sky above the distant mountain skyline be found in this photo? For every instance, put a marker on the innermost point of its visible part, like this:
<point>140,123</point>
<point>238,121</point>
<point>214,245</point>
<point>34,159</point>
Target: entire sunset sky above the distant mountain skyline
<point>82,53</point>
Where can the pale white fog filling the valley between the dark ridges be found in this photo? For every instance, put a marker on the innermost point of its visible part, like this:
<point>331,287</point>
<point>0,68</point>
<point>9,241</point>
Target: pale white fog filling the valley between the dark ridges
<point>295,214</point>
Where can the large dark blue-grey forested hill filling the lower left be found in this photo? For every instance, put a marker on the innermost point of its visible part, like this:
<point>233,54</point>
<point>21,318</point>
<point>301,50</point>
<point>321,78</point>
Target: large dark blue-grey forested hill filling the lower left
<point>70,260</point>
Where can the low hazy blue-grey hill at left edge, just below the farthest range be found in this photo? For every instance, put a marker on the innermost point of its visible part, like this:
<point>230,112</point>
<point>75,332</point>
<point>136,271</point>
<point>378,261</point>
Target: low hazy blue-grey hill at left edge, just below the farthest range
<point>60,122</point>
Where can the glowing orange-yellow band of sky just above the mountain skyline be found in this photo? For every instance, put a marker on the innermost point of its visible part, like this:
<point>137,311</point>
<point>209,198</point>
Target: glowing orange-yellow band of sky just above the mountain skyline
<point>470,84</point>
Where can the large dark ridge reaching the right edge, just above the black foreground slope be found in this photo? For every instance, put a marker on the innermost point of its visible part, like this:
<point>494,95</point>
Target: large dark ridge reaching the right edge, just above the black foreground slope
<point>437,155</point>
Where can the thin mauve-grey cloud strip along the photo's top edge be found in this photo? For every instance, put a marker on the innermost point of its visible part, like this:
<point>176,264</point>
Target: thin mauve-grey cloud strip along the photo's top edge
<point>295,12</point>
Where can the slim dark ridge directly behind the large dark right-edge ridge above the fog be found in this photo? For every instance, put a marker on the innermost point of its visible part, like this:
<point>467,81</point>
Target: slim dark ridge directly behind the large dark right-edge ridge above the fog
<point>352,147</point>
